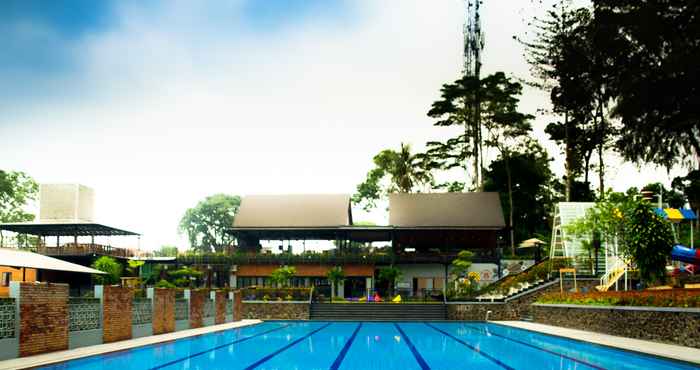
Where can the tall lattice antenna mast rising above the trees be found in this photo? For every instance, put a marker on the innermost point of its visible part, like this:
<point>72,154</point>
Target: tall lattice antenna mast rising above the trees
<point>473,46</point>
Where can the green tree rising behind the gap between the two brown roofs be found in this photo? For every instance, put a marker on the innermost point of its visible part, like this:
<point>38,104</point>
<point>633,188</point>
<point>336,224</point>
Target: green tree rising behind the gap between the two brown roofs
<point>393,172</point>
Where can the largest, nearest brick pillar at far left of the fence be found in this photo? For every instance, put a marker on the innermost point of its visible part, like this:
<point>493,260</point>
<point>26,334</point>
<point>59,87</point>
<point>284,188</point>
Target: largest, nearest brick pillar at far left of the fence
<point>43,317</point>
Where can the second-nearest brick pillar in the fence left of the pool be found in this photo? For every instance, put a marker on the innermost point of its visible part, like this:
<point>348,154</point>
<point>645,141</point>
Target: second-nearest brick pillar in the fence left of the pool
<point>116,312</point>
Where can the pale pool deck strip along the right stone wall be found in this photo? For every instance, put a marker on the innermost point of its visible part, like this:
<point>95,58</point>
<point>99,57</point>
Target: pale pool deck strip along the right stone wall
<point>687,354</point>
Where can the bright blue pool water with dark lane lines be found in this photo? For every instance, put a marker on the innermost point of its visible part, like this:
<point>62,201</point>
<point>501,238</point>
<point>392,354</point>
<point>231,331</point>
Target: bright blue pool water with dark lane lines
<point>373,345</point>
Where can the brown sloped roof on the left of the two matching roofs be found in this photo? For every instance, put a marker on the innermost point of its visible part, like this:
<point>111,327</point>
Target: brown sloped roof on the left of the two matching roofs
<point>294,211</point>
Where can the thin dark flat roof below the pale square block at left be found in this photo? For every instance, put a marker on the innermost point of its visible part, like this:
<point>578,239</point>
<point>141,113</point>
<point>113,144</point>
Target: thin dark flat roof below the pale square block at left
<point>64,229</point>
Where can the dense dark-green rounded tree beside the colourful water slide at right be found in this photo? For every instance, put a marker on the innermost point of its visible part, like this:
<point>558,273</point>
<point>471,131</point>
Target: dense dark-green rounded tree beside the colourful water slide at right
<point>649,242</point>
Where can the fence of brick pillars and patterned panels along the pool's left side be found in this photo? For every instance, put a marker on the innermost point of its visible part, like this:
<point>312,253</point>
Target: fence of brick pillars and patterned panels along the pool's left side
<point>41,317</point>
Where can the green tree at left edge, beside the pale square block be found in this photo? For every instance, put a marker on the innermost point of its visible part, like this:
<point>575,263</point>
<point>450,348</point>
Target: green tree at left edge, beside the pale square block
<point>16,190</point>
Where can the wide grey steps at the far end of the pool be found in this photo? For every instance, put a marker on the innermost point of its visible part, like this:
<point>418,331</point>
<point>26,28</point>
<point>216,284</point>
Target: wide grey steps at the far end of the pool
<point>378,311</point>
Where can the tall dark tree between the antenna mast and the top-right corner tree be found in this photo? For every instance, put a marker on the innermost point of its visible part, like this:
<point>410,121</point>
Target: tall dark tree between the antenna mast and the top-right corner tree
<point>566,63</point>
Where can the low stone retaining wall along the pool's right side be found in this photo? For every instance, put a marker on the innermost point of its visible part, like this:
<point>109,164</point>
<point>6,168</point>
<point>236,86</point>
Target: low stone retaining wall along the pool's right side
<point>661,324</point>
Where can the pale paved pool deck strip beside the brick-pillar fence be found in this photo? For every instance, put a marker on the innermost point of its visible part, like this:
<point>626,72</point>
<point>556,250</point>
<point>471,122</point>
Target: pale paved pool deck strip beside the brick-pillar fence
<point>71,354</point>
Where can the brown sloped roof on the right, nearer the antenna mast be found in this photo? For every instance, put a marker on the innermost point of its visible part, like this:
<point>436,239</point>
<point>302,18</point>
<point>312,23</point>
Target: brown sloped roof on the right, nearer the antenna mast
<point>446,211</point>
